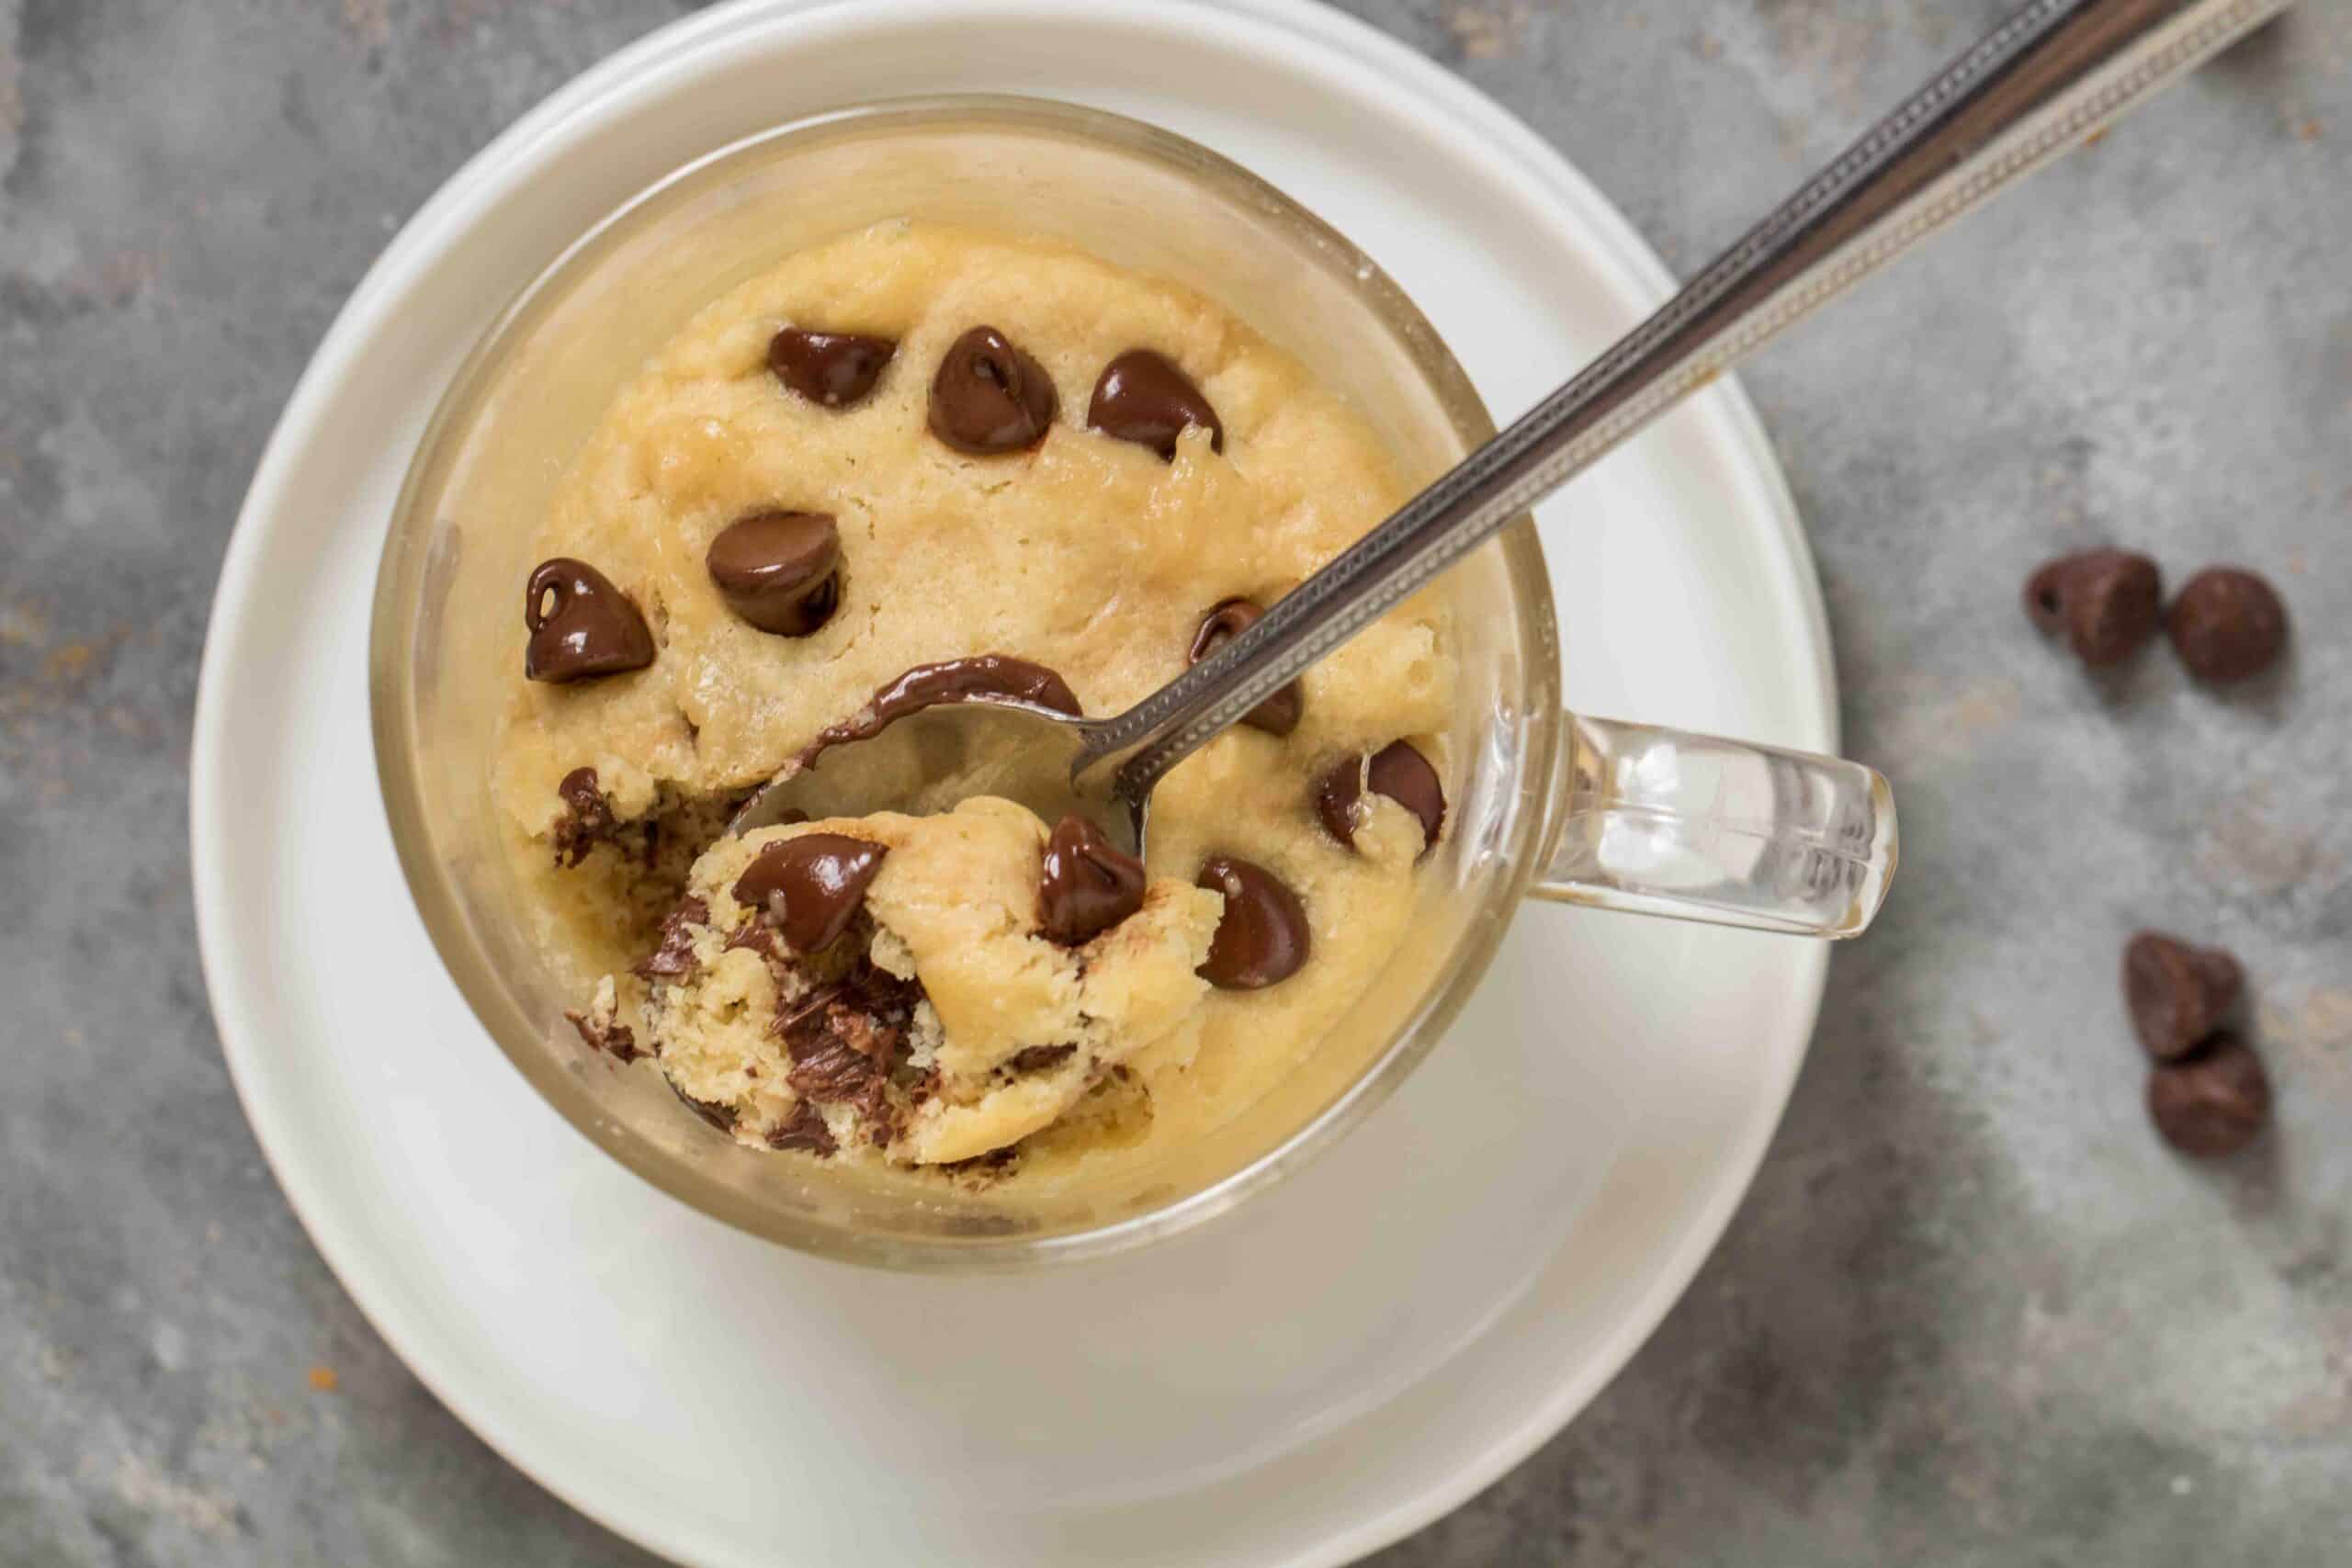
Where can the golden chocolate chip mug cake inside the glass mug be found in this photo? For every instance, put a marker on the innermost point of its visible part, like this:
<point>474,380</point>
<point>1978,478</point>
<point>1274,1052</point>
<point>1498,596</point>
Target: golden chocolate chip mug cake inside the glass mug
<point>916,445</point>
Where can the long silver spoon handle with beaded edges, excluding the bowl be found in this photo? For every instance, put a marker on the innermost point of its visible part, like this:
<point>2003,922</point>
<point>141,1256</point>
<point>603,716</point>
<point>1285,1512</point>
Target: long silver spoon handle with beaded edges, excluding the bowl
<point>2031,91</point>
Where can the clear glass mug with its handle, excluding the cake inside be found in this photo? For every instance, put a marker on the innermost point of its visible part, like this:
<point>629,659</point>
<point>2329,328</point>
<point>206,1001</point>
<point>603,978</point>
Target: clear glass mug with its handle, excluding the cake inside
<point>1544,803</point>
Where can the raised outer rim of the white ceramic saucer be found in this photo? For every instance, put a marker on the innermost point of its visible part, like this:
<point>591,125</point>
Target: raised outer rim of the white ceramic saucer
<point>1459,112</point>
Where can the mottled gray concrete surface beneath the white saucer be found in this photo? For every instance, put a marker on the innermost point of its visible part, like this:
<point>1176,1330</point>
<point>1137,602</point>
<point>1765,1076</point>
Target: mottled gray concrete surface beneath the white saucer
<point>1972,1311</point>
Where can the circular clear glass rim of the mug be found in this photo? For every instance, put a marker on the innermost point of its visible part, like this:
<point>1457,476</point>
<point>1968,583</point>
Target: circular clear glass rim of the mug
<point>396,650</point>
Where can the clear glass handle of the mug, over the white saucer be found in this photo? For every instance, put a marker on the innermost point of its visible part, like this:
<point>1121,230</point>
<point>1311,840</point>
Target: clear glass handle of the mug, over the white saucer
<point>1662,822</point>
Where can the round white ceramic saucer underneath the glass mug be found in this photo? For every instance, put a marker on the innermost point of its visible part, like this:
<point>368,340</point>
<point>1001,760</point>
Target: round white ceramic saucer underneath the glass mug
<point>1299,1383</point>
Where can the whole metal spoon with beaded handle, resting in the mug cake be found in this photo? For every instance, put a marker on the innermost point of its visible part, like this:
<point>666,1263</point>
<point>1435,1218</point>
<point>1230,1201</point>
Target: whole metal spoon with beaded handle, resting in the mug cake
<point>2031,91</point>
